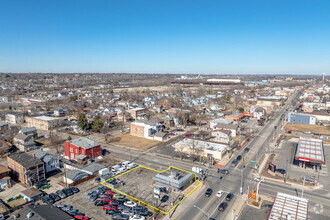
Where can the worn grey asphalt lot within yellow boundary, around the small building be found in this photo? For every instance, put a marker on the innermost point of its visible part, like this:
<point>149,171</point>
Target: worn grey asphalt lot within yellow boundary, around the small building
<point>138,183</point>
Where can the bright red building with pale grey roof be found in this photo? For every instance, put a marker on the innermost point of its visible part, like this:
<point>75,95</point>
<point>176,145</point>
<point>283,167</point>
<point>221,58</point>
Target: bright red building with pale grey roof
<point>81,148</point>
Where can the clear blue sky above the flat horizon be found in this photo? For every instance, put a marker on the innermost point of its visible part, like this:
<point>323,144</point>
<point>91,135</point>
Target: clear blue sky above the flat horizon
<point>165,36</point>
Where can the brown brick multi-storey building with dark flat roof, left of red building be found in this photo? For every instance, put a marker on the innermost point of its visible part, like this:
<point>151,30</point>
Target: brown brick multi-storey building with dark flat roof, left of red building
<point>28,169</point>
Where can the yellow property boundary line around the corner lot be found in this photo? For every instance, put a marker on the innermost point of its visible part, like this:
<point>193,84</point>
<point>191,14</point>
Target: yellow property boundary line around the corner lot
<point>103,183</point>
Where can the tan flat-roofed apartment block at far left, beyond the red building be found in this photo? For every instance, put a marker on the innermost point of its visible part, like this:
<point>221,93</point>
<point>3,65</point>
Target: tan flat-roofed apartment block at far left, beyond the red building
<point>43,122</point>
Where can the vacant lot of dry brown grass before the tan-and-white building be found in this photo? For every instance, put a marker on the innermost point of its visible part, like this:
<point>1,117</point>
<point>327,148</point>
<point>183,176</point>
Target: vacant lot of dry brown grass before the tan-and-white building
<point>133,142</point>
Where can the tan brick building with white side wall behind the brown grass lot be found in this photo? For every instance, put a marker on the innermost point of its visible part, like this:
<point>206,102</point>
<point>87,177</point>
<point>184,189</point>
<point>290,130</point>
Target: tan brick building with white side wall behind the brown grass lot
<point>145,129</point>
